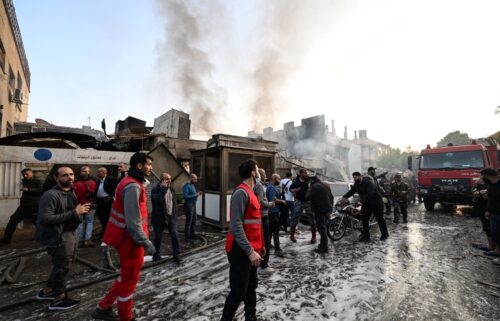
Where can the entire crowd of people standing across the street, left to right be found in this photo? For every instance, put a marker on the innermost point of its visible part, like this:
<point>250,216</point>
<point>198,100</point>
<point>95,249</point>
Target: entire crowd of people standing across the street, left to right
<point>260,208</point>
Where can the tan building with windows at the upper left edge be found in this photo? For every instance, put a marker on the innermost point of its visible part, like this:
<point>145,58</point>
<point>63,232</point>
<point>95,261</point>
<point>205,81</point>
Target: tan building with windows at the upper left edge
<point>14,71</point>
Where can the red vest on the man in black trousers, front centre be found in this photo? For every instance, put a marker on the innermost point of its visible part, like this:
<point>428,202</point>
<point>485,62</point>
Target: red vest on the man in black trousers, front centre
<point>252,223</point>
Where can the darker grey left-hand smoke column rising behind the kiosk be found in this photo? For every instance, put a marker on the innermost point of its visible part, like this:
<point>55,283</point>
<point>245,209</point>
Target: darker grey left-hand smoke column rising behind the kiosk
<point>190,64</point>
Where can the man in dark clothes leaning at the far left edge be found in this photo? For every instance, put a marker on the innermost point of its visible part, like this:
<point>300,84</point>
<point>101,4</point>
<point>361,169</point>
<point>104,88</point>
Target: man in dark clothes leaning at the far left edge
<point>32,190</point>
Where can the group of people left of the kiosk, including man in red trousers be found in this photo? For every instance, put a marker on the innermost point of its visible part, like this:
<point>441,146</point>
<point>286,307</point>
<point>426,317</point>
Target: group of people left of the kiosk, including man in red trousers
<point>64,208</point>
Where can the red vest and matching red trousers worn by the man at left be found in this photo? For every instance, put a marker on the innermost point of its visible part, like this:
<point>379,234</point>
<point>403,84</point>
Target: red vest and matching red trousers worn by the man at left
<point>131,254</point>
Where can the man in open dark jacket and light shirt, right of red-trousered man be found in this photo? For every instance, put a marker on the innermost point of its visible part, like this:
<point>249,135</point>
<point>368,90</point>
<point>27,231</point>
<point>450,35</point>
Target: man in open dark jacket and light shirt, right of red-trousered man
<point>163,200</point>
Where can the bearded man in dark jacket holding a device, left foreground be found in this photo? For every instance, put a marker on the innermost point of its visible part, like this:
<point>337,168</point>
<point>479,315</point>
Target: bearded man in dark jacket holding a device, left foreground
<point>58,218</point>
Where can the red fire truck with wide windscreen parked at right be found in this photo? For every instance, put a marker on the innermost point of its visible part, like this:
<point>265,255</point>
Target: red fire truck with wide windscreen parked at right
<point>446,175</point>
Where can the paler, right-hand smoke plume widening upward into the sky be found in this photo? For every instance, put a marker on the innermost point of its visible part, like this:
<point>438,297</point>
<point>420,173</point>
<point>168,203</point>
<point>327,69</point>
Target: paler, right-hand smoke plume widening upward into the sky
<point>289,27</point>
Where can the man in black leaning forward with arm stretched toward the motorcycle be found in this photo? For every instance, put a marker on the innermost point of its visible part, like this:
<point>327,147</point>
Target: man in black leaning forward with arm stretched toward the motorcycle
<point>371,204</point>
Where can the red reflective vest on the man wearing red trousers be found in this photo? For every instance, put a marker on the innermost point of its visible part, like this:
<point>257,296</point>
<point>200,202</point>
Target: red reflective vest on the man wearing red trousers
<point>116,228</point>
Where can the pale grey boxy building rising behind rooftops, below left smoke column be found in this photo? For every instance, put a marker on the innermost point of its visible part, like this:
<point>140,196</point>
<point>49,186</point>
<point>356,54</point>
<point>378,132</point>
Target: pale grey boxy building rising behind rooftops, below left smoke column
<point>174,123</point>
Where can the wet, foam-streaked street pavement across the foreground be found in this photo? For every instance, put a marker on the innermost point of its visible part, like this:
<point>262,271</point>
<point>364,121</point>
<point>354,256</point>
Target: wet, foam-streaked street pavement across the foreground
<point>426,270</point>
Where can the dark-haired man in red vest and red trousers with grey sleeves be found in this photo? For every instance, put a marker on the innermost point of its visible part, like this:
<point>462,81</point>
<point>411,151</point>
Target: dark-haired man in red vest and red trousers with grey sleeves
<point>127,231</point>
